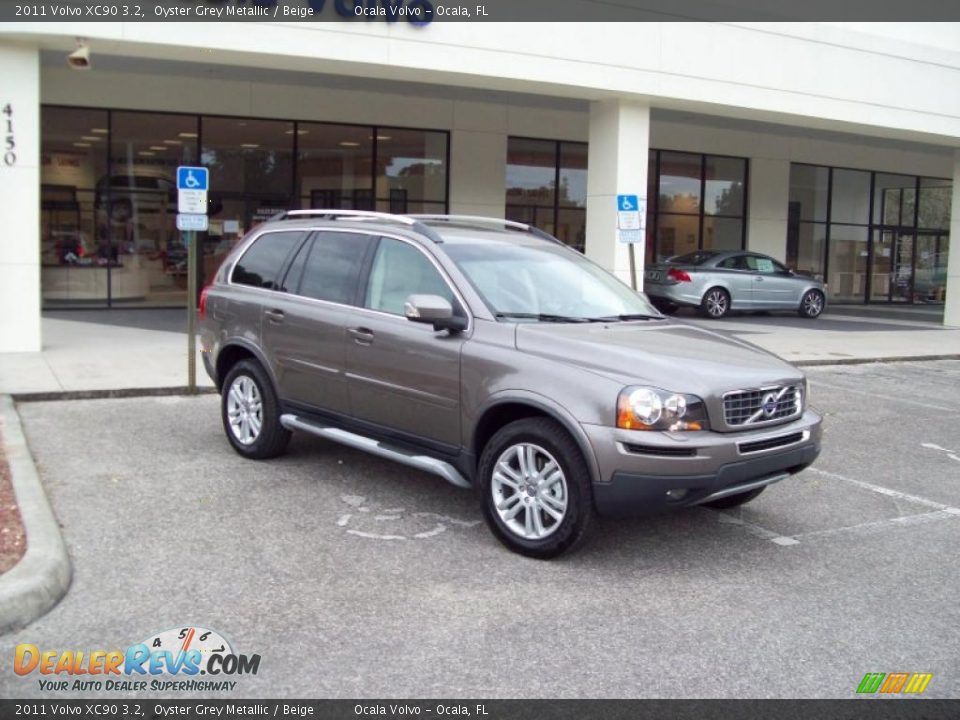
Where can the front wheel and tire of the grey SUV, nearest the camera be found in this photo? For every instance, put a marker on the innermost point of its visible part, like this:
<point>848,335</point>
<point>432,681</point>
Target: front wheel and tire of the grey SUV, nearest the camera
<point>550,518</point>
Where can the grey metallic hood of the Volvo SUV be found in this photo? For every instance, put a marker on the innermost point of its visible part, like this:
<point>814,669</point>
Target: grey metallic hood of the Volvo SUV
<point>666,354</point>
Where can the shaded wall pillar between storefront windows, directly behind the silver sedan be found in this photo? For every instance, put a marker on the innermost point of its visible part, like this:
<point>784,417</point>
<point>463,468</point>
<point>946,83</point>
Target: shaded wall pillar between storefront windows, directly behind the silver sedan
<point>767,206</point>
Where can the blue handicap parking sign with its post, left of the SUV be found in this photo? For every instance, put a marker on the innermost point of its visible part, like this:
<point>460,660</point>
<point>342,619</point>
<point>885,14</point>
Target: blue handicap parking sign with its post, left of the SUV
<point>192,186</point>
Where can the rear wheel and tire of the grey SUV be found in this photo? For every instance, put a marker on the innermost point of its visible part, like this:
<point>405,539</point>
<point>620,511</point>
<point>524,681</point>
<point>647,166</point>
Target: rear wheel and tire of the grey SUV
<point>248,396</point>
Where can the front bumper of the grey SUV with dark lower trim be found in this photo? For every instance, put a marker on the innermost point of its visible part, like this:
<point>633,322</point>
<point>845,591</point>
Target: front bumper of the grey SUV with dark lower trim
<point>645,472</point>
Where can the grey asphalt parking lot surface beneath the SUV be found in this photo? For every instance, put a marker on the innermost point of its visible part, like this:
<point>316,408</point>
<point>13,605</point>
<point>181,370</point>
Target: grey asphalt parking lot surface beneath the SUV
<point>354,577</point>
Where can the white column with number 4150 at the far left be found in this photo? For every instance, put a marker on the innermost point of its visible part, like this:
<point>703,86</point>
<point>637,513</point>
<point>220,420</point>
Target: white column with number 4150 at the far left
<point>20,198</point>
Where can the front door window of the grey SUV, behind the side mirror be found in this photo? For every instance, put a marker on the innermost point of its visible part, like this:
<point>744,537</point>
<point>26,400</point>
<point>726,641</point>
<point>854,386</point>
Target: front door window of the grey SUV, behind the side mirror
<point>400,270</point>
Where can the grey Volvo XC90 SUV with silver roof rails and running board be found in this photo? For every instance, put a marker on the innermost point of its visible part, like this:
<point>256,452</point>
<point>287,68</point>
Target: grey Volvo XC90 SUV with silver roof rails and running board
<point>490,354</point>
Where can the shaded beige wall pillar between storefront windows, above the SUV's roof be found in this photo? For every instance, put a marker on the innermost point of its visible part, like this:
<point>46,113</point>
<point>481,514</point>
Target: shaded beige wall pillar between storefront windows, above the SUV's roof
<point>478,160</point>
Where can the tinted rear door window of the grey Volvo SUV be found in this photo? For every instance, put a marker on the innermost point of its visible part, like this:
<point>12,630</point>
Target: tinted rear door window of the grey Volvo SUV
<point>332,266</point>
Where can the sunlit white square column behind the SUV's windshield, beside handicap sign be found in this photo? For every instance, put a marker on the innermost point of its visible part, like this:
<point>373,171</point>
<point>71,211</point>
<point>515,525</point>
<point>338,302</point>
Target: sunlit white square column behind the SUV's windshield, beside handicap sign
<point>617,164</point>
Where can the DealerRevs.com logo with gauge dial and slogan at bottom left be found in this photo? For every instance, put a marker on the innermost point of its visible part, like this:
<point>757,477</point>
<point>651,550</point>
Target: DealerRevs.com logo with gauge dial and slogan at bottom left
<point>171,661</point>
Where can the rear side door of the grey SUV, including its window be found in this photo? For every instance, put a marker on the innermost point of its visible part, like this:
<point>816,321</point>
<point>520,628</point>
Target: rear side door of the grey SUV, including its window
<point>304,324</point>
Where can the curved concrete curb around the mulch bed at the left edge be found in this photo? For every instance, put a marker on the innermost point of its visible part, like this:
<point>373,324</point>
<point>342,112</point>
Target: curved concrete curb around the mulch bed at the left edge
<point>36,583</point>
